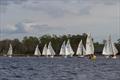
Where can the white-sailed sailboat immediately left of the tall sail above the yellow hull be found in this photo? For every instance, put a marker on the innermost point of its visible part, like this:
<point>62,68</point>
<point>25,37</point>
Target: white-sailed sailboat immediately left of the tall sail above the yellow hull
<point>80,50</point>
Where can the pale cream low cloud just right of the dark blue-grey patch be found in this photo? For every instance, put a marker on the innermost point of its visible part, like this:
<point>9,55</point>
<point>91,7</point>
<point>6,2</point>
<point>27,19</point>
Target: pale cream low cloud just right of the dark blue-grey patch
<point>40,28</point>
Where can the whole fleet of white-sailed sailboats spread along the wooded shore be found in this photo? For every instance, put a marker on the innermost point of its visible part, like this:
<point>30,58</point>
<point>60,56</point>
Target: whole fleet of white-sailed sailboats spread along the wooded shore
<point>66,49</point>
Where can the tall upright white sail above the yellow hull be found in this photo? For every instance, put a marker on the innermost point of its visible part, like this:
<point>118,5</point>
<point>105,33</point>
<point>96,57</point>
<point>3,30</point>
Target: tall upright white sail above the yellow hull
<point>89,45</point>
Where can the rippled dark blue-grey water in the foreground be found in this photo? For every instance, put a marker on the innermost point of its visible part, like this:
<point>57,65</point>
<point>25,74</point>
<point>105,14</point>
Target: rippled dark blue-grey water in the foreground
<point>32,68</point>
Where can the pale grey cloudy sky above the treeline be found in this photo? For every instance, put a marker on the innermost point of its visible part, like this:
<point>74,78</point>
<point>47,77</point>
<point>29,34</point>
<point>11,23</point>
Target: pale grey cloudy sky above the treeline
<point>19,18</point>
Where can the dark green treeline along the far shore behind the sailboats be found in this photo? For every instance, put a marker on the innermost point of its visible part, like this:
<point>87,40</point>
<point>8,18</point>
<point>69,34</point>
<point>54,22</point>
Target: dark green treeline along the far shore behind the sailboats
<point>28,44</point>
